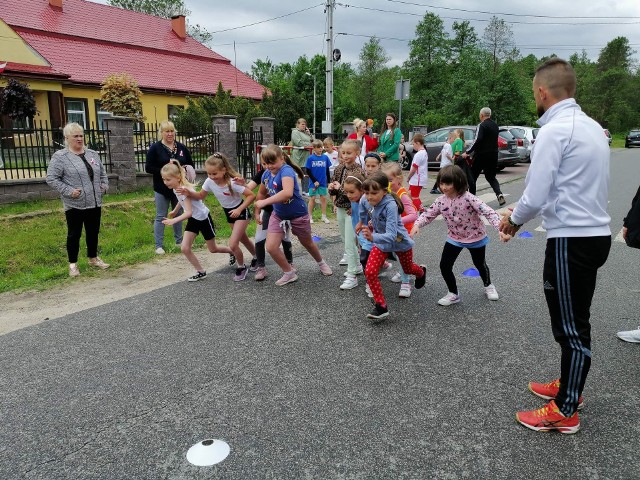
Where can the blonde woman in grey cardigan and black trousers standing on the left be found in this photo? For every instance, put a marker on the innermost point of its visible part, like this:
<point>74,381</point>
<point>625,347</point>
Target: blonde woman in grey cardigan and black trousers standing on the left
<point>77,173</point>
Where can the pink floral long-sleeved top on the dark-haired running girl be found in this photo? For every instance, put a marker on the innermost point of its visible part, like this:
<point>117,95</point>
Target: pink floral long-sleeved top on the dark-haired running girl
<point>462,215</point>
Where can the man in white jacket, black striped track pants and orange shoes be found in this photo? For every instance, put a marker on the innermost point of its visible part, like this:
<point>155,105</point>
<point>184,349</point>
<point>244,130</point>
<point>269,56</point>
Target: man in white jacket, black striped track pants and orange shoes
<point>567,184</point>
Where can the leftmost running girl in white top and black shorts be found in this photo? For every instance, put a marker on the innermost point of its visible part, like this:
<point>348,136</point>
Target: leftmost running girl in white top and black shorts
<point>197,215</point>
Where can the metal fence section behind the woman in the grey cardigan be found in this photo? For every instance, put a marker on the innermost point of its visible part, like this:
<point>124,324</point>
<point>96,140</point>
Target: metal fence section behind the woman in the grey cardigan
<point>26,152</point>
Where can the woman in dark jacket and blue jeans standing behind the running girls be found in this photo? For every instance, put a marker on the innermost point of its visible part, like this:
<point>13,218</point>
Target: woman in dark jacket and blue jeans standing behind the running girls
<point>159,154</point>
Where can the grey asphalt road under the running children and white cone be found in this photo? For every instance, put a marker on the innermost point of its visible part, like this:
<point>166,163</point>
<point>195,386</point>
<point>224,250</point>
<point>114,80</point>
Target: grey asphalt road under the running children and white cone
<point>301,385</point>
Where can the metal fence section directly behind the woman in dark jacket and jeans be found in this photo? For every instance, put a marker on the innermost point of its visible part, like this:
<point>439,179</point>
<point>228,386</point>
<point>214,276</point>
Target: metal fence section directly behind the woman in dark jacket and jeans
<point>201,144</point>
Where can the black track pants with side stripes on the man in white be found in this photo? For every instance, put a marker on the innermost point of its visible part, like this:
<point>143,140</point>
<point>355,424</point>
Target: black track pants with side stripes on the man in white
<point>570,270</point>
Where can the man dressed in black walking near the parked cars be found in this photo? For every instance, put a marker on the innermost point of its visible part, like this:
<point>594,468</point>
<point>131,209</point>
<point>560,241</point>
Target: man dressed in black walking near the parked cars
<point>485,148</point>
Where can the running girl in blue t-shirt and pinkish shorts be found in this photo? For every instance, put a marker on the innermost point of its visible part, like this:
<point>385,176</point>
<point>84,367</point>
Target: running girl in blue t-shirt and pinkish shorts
<point>279,187</point>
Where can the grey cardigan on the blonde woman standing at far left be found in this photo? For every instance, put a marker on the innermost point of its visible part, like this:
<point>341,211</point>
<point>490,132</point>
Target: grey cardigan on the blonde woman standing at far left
<point>67,172</point>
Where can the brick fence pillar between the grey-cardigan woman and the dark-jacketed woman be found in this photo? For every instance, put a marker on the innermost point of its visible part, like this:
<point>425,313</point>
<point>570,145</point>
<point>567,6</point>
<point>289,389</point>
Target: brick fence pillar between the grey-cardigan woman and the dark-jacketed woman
<point>123,159</point>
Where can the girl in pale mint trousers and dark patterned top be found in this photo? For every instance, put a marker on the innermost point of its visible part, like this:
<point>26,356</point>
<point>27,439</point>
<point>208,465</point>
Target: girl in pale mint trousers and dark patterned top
<point>349,150</point>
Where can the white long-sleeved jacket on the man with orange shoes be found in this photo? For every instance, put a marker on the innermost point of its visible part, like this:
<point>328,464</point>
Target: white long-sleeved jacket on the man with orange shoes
<point>568,180</point>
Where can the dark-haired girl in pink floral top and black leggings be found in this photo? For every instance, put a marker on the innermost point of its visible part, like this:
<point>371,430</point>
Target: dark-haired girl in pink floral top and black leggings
<point>462,212</point>
